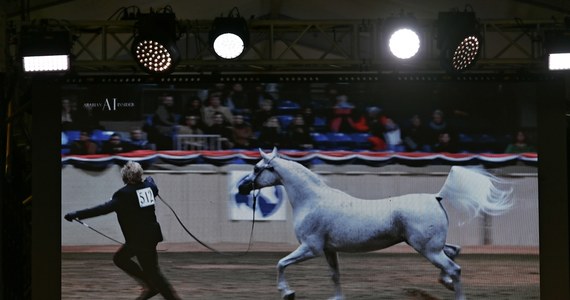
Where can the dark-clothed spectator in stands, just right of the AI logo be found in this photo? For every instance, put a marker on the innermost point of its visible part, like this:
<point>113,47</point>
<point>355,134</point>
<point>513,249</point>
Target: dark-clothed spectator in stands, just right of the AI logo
<point>164,123</point>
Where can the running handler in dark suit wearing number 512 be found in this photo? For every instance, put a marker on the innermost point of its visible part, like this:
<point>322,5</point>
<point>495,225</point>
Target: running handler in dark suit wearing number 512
<point>134,205</point>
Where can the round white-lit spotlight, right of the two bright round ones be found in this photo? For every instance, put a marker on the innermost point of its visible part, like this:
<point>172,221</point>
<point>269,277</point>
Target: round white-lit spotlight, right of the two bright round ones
<point>402,37</point>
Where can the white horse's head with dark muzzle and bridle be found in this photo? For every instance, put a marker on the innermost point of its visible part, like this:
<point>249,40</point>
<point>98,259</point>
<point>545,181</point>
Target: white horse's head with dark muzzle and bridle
<point>263,174</point>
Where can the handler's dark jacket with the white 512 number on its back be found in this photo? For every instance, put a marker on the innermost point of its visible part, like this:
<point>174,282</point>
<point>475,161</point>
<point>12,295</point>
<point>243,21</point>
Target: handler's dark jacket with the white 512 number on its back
<point>134,205</point>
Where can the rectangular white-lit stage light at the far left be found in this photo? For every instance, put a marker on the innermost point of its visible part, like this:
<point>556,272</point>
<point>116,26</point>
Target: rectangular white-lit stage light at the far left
<point>45,51</point>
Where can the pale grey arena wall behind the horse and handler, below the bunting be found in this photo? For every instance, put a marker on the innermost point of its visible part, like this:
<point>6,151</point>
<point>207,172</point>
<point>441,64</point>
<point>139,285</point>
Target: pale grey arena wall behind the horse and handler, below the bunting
<point>200,196</point>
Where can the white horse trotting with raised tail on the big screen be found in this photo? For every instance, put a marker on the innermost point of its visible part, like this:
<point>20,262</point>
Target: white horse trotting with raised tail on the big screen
<point>328,221</point>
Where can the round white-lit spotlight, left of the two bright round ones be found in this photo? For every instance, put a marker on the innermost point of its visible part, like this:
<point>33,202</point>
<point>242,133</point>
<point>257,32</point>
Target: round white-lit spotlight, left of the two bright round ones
<point>229,36</point>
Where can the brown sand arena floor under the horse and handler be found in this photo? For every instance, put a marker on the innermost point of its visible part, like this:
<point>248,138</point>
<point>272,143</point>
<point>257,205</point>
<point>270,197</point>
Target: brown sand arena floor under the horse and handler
<point>506,273</point>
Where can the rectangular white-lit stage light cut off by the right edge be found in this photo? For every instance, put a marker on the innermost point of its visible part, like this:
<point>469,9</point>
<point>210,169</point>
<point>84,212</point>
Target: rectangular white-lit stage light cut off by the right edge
<point>557,45</point>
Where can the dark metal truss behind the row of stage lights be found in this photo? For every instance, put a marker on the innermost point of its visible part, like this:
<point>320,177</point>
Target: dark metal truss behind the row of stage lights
<point>306,45</point>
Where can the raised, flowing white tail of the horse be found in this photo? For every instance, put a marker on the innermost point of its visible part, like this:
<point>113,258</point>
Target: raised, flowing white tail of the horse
<point>477,191</point>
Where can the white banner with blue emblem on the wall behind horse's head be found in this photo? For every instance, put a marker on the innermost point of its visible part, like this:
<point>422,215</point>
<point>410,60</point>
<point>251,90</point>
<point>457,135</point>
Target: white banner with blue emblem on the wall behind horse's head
<point>270,204</point>
